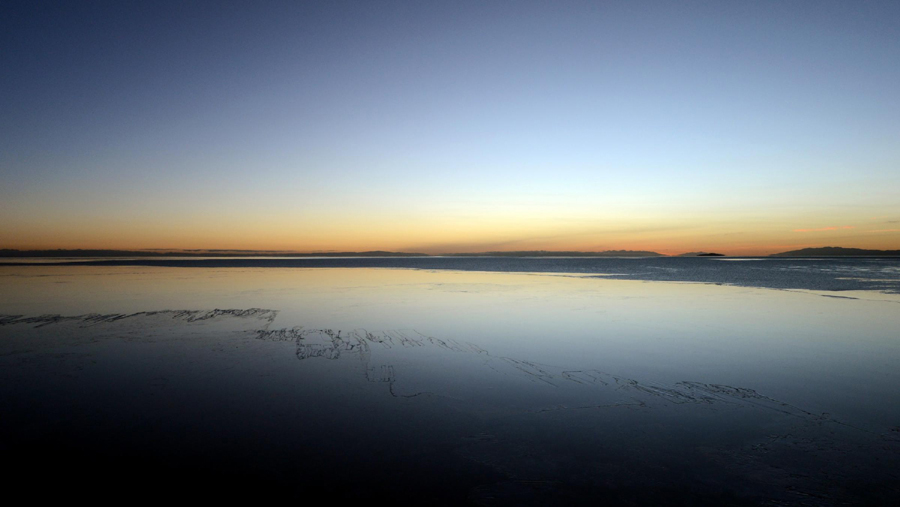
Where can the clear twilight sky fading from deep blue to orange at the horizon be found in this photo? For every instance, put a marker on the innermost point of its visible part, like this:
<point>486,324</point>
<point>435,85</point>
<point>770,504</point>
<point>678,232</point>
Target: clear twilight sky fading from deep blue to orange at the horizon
<point>745,128</point>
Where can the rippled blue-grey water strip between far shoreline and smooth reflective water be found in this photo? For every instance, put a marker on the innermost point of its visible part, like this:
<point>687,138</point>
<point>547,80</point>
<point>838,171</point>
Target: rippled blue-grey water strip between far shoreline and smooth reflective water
<point>832,274</point>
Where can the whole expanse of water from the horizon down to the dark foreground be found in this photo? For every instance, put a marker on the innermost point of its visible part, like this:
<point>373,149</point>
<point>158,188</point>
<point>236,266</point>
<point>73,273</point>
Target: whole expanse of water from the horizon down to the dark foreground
<point>454,387</point>
